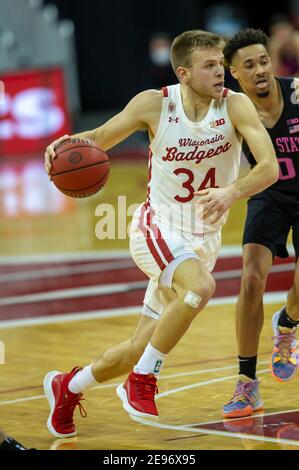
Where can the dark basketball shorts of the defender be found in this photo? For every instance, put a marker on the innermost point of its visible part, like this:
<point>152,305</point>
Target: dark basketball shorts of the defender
<point>268,224</point>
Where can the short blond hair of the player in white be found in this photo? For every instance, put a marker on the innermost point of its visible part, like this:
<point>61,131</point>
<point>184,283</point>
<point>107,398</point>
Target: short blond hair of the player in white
<point>184,44</point>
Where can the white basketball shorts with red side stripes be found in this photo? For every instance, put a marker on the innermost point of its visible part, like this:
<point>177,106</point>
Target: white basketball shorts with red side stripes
<point>158,251</point>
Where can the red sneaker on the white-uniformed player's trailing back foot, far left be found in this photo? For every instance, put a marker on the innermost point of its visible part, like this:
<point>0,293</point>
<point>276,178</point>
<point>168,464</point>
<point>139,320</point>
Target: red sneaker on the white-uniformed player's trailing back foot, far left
<point>62,403</point>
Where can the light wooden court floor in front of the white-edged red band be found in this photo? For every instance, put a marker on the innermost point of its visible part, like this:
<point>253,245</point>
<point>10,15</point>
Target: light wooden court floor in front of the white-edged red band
<point>198,377</point>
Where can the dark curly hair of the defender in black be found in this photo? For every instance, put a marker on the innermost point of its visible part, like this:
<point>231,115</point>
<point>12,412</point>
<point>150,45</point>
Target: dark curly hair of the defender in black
<point>243,38</point>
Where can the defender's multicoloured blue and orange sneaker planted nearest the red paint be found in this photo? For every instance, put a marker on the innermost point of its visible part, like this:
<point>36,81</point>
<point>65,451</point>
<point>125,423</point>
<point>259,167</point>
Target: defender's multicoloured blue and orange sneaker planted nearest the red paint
<point>246,399</point>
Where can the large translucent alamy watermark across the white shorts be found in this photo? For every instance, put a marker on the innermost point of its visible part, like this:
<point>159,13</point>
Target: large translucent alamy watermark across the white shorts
<point>114,222</point>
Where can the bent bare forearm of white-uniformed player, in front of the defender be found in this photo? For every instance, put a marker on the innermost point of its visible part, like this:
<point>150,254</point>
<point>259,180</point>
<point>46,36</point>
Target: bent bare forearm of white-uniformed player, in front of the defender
<point>263,175</point>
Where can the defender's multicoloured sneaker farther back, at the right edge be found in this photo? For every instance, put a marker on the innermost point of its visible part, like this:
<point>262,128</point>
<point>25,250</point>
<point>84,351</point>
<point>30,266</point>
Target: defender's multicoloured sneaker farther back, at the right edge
<point>285,359</point>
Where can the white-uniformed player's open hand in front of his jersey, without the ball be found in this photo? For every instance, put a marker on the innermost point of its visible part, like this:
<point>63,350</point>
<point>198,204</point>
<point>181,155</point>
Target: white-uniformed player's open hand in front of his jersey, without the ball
<point>215,202</point>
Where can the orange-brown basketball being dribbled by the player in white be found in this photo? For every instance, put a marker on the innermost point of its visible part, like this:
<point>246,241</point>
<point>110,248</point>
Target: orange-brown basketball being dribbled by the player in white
<point>80,169</point>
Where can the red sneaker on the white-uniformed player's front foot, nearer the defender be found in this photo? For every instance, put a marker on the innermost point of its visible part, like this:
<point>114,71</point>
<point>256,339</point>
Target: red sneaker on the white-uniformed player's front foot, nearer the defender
<point>138,395</point>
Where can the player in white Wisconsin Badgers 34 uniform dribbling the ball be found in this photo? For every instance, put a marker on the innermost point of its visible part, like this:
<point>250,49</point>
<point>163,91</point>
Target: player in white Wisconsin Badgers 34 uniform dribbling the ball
<point>195,133</point>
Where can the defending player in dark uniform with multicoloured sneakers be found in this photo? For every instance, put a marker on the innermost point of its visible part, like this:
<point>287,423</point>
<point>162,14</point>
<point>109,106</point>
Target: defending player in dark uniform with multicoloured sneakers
<point>271,215</point>
